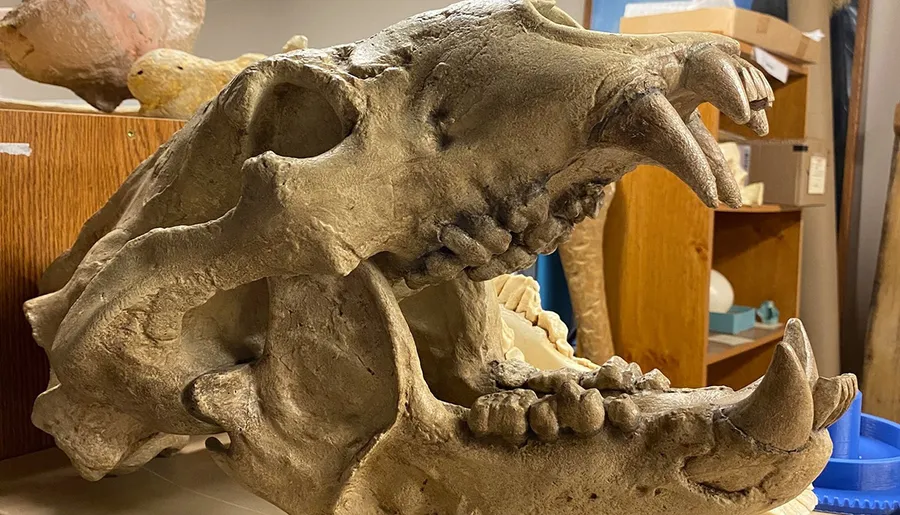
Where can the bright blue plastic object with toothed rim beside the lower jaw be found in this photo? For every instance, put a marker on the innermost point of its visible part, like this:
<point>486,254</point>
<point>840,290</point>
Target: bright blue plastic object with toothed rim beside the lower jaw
<point>863,474</point>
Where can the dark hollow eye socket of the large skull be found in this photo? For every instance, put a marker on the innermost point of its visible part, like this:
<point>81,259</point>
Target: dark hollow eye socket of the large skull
<point>295,121</point>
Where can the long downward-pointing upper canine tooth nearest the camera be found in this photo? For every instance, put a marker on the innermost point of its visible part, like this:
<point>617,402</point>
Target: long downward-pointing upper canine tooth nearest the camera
<point>652,127</point>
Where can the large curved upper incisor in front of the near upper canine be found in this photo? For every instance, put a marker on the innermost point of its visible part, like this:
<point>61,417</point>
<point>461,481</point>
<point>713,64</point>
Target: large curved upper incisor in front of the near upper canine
<point>717,80</point>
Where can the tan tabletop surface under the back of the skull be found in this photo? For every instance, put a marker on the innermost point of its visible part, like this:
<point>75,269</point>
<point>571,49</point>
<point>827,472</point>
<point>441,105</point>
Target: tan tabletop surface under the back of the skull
<point>186,484</point>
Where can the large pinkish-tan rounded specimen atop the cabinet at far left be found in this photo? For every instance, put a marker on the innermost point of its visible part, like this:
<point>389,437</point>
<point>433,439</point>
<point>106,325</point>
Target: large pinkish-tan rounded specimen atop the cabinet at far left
<point>88,46</point>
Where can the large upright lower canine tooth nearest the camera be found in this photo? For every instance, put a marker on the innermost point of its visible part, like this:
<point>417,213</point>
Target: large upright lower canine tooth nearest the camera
<point>780,410</point>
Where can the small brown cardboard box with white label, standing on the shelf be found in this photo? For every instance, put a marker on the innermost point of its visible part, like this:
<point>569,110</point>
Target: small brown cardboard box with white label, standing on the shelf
<point>794,172</point>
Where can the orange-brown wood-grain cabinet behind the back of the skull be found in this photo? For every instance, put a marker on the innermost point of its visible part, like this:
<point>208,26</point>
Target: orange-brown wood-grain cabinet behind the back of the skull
<point>76,163</point>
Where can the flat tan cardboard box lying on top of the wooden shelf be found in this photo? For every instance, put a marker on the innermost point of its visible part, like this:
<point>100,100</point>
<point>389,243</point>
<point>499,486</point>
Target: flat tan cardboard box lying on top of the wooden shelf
<point>767,32</point>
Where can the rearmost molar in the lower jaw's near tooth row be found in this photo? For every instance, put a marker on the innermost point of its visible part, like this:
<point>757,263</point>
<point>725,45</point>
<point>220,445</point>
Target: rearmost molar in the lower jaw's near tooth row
<point>503,414</point>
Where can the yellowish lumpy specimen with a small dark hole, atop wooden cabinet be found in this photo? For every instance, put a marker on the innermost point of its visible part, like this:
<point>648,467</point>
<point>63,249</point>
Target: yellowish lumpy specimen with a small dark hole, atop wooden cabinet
<point>174,84</point>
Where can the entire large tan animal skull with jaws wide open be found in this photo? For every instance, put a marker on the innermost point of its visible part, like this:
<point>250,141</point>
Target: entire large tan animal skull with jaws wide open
<point>305,266</point>
